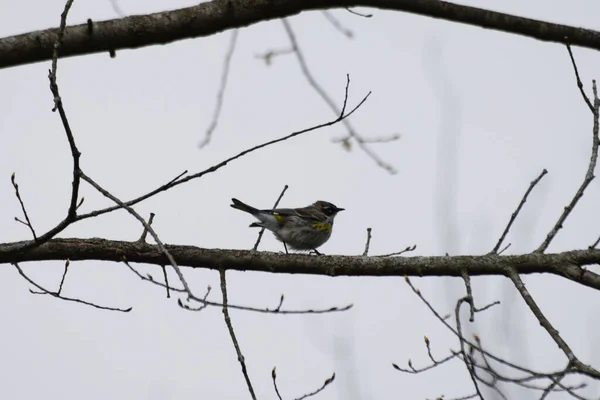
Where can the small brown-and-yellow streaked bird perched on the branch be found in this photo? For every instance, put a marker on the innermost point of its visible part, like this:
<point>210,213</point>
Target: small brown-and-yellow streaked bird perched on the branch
<point>302,229</point>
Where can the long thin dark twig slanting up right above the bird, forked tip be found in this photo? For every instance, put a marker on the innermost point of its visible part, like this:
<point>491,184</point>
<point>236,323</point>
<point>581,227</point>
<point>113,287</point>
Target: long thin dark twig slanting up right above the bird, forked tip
<point>342,117</point>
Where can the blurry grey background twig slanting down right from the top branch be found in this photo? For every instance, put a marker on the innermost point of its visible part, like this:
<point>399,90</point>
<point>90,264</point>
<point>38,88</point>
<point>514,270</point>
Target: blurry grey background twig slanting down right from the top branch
<point>319,89</point>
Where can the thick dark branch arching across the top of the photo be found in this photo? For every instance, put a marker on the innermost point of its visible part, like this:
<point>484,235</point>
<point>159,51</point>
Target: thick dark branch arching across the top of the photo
<point>219,15</point>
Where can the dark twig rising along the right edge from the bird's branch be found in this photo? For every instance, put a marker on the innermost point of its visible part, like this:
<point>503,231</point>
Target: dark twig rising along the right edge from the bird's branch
<point>589,176</point>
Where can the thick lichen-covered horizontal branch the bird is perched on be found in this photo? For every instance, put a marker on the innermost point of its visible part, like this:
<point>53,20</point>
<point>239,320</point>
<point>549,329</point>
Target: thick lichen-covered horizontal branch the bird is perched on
<point>568,264</point>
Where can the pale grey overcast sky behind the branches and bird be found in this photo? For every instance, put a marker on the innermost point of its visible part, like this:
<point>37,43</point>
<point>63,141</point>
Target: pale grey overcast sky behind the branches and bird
<point>481,113</point>
